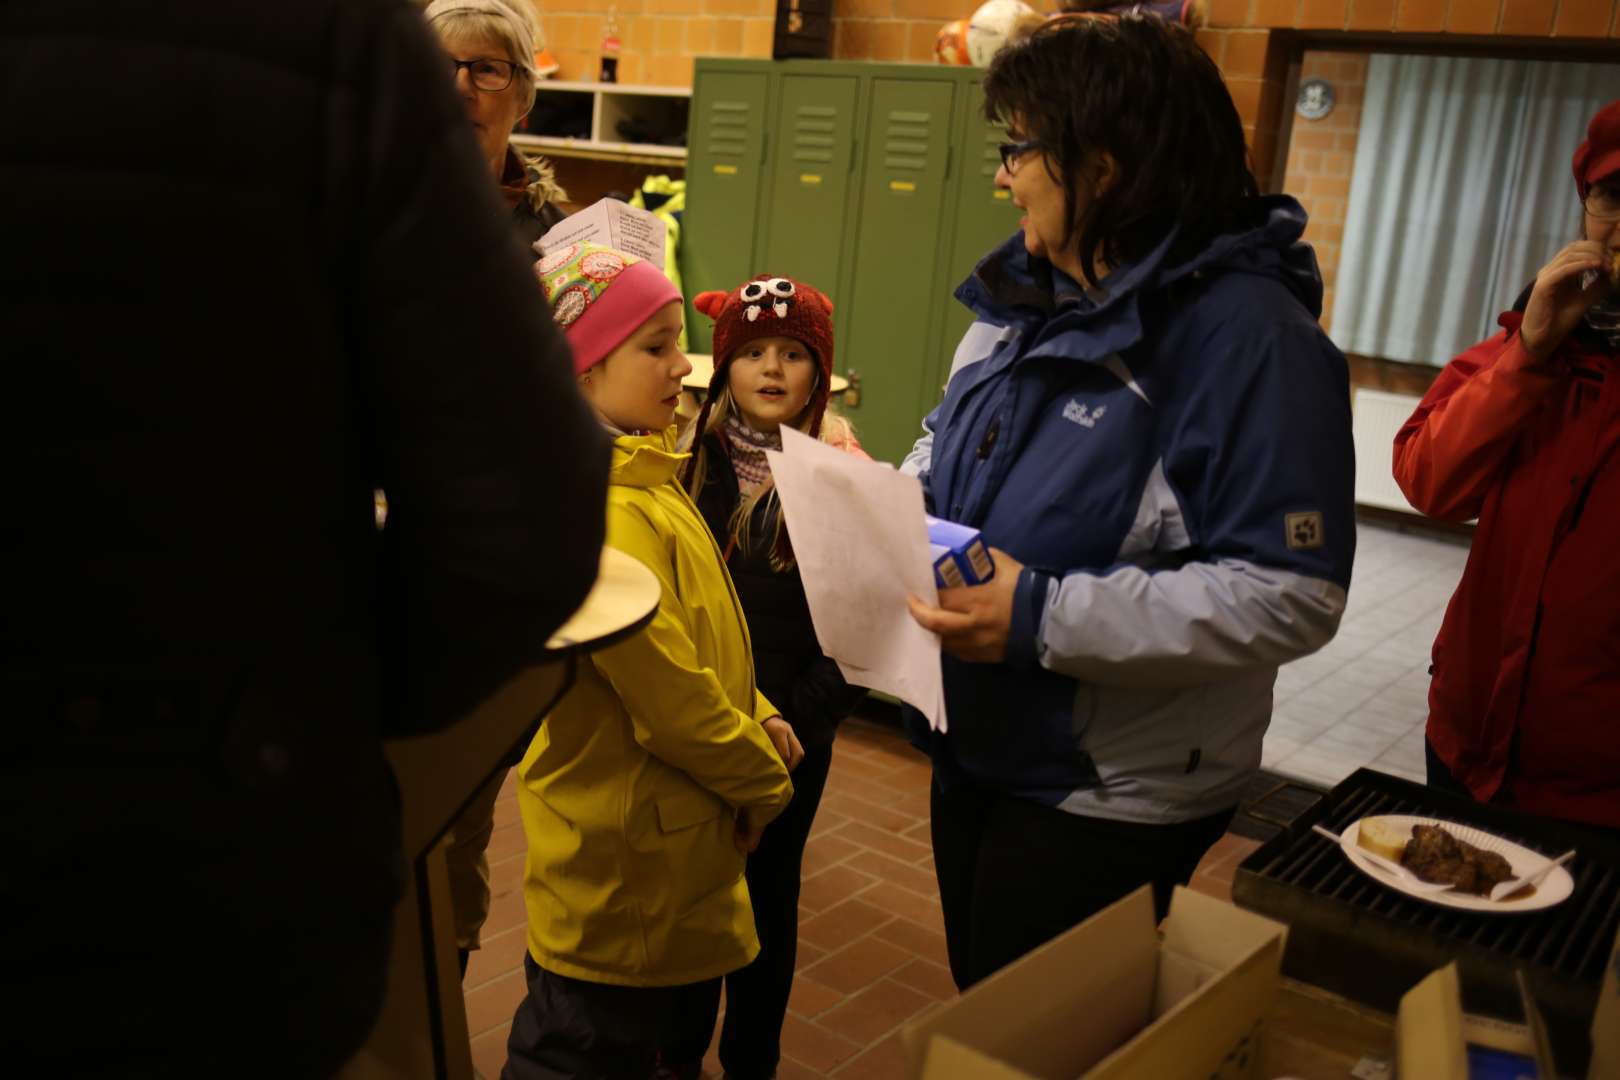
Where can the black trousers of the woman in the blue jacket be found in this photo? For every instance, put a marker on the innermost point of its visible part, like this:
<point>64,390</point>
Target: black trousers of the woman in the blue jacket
<point>1015,875</point>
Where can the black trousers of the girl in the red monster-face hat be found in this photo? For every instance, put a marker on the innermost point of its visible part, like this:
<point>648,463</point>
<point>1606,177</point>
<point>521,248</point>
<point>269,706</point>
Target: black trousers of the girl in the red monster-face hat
<point>751,1040</point>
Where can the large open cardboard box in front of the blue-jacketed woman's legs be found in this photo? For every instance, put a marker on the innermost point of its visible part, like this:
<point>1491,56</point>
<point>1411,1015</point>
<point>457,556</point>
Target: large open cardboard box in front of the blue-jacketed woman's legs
<point>1114,1001</point>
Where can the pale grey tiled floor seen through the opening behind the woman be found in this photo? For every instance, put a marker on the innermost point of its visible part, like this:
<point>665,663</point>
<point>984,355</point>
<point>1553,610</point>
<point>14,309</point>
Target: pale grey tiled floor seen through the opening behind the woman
<point>1363,700</point>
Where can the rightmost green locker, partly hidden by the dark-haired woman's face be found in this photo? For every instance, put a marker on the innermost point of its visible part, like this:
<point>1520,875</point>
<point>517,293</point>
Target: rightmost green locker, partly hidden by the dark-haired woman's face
<point>983,216</point>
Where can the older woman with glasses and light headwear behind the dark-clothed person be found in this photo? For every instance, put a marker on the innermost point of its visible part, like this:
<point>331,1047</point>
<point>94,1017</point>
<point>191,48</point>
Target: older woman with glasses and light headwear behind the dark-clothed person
<point>492,46</point>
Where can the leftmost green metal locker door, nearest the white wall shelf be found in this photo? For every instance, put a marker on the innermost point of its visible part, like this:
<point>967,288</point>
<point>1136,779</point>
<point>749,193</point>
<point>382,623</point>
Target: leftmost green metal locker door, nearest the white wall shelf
<point>727,147</point>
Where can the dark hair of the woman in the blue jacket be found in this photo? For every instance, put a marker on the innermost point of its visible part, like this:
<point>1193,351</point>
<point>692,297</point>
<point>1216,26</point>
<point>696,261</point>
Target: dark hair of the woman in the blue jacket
<point>1141,91</point>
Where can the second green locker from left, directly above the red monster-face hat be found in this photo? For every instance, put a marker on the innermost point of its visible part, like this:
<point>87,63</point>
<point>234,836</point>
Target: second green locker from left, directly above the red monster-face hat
<point>808,208</point>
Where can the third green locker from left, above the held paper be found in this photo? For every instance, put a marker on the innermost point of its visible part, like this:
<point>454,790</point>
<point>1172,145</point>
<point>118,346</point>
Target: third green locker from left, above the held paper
<point>890,325</point>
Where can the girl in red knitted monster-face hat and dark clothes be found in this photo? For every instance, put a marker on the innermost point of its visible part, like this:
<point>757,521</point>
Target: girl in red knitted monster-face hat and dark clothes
<point>774,367</point>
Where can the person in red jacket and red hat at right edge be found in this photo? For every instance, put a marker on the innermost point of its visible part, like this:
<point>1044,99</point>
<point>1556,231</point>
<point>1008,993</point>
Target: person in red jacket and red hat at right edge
<point>1524,433</point>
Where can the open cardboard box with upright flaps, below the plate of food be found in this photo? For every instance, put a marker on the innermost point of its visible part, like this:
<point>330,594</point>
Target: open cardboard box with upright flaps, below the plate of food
<point>1436,1040</point>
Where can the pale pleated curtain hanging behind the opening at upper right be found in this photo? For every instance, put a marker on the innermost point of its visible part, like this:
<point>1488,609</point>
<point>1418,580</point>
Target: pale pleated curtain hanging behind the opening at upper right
<point>1462,192</point>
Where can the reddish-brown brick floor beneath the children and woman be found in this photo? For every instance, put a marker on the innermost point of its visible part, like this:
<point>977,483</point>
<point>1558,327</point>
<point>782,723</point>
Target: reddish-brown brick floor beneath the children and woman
<point>872,938</point>
